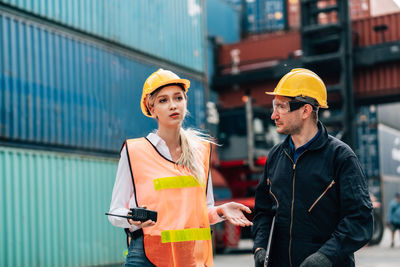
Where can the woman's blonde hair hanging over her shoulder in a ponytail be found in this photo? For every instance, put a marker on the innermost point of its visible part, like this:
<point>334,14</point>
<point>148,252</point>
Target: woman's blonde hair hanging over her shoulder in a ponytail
<point>193,143</point>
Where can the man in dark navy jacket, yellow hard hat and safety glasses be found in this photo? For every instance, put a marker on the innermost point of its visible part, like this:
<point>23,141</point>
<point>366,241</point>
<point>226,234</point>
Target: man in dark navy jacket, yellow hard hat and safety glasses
<point>313,181</point>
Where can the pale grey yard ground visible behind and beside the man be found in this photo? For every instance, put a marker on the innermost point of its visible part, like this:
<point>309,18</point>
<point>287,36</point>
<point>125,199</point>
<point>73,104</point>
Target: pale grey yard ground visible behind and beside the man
<point>375,256</point>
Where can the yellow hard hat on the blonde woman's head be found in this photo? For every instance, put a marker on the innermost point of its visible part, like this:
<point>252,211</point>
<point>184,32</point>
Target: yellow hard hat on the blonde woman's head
<point>156,80</point>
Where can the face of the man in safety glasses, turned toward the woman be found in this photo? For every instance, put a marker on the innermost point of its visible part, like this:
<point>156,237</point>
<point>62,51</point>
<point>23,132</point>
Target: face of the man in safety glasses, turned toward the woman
<point>286,121</point>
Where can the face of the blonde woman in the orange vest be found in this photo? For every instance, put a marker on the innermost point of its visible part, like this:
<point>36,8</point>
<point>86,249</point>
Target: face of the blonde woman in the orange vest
<point>169,106</point>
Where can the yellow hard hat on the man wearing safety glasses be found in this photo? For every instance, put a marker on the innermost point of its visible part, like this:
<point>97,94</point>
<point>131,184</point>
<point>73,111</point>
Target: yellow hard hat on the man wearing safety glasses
<point>304,83</point>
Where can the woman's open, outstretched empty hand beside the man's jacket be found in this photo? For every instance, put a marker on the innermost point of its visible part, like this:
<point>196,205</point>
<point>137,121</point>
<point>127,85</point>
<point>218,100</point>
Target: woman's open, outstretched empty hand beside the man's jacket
<point>233,212</point>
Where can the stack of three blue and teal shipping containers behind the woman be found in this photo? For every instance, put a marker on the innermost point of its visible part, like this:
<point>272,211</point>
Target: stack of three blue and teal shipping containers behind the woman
<point>70,82</point>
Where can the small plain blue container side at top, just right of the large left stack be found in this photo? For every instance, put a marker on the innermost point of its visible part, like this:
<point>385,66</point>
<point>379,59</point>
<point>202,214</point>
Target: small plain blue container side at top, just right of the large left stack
<point>223,20</point>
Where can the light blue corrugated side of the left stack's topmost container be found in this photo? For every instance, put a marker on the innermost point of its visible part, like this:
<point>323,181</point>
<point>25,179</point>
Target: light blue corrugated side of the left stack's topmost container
<point>172,30</point>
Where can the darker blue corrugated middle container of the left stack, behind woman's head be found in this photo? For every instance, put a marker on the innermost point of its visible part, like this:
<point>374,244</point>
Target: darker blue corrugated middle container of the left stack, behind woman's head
<point>57,89</point>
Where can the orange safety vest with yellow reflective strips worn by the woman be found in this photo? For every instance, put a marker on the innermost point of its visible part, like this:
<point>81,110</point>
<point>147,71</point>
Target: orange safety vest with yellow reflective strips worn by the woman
<point>182,236</point>
